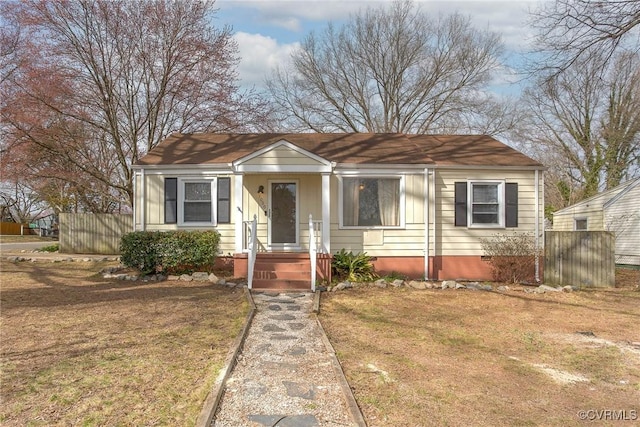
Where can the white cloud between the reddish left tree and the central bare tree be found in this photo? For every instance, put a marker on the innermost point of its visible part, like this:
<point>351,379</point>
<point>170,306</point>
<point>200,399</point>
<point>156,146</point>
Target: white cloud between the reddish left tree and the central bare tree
<point>259,55</point>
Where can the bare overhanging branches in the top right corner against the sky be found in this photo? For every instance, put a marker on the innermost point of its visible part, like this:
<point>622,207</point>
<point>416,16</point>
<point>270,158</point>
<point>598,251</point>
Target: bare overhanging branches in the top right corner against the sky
<point>570,29</point>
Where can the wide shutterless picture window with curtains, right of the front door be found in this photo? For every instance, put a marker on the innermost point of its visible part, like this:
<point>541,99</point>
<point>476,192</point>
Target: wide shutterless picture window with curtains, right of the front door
<point>372,202</point>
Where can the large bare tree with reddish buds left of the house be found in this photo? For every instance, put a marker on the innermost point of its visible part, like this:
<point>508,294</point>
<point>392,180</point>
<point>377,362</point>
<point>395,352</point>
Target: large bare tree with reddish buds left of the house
<point>105,81</point>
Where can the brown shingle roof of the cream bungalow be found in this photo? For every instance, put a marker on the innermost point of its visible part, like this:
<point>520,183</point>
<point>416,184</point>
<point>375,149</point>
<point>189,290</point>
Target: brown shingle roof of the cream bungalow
<point>349,148</point>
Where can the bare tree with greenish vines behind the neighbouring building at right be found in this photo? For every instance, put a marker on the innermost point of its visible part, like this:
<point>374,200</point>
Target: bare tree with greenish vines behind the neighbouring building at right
<point>585,124</point>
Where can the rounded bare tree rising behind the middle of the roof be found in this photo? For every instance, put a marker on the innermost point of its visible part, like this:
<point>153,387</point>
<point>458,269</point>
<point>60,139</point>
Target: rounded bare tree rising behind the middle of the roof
<point>392,70</point>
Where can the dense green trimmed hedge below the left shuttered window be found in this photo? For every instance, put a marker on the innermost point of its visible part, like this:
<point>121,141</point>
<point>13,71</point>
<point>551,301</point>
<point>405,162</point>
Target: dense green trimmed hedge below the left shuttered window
<point>172,252</point>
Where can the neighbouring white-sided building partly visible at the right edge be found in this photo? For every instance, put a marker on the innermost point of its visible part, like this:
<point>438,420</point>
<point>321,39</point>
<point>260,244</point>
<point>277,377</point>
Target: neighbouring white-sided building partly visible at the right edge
<point>616,210</point>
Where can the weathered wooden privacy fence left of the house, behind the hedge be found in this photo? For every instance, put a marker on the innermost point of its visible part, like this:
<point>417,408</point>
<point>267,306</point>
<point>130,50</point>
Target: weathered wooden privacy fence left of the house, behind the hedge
<point>93,233</point>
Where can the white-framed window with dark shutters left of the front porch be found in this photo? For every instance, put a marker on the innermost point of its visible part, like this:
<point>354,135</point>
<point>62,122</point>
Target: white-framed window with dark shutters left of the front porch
<point>197,201</point>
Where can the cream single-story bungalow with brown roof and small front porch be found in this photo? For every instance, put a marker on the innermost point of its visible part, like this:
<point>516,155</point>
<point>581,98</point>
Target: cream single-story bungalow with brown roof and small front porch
<point>417,204</point>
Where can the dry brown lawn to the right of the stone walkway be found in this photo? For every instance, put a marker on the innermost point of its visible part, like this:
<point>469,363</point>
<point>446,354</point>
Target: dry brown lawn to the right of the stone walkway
<point>462,357</point>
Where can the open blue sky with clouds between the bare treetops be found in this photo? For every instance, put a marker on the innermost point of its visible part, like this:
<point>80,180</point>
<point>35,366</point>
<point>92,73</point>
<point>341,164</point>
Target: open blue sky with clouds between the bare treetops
<point>268,31</point>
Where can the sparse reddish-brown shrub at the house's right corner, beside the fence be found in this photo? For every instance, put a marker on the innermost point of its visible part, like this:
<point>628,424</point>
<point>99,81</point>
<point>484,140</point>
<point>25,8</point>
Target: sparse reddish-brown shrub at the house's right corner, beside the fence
<point>512,256</point>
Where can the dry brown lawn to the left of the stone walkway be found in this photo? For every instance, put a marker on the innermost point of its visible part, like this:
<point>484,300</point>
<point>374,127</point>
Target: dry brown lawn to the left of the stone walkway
<point>78,349</point>
